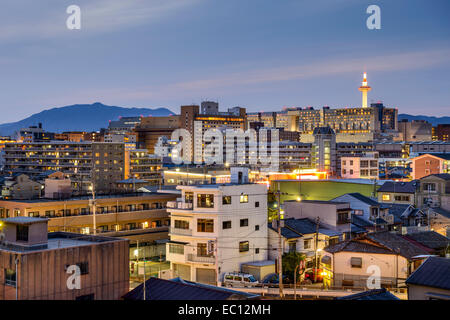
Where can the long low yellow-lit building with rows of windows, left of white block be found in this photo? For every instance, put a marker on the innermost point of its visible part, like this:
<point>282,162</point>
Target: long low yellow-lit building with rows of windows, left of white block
<point>136,216</point>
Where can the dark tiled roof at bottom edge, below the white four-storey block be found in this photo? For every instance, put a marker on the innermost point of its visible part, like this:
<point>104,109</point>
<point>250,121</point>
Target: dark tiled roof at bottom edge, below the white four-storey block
<point>178,289</point>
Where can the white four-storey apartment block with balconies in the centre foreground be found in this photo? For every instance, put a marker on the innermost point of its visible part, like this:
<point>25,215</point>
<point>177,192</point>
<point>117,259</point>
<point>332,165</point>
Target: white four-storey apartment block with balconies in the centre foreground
<point>215,229</point>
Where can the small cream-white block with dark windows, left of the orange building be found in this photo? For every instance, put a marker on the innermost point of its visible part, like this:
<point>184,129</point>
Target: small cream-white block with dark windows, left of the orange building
<point>365,167</point>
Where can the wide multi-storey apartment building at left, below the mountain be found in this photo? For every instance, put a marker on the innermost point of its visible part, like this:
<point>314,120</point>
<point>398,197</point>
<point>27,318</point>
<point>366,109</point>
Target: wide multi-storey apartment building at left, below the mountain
<point>83,162</point>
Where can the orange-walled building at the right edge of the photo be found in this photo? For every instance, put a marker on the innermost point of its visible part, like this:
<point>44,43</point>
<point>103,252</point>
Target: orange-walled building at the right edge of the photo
<point>427,164</point>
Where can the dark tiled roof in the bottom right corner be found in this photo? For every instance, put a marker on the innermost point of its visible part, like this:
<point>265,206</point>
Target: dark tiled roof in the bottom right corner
<point>434,272</point>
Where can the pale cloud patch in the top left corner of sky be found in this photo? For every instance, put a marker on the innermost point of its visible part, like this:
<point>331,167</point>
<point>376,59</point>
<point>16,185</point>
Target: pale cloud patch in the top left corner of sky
<point>48,20</point>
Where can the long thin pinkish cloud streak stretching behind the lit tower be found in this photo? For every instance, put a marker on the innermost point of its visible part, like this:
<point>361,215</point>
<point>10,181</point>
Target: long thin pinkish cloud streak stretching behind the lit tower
<point>239,81</point>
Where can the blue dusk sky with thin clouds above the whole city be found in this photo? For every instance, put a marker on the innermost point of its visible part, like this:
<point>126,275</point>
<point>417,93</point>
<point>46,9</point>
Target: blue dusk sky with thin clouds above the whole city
<point>258,54</point>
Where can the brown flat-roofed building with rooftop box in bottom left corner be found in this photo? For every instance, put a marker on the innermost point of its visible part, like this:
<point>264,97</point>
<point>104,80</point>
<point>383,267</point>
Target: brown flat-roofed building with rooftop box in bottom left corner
<point>36,265</point>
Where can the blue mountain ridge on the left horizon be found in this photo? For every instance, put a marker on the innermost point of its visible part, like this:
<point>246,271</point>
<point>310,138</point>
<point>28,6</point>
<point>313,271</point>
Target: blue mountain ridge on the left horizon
<point>79,117</point>
